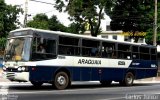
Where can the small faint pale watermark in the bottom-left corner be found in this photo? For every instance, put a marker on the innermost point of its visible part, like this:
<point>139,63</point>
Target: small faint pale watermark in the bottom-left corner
<point>8,97</point>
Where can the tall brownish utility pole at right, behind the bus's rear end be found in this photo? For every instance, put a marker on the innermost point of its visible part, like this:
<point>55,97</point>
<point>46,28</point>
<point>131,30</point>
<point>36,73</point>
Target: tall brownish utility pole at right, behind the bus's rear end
<point>155,25</point>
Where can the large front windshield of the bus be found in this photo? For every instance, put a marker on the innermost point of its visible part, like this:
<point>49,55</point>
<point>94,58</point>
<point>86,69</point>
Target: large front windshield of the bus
<point>18,49</point>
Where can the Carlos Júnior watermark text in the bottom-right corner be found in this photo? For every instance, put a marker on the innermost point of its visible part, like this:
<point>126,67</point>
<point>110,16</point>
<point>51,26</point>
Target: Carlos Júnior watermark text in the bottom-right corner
<point>142,96</point>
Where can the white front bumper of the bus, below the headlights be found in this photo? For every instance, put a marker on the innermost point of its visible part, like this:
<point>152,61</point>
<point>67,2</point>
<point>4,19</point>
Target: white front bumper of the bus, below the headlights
<point>17,76</point>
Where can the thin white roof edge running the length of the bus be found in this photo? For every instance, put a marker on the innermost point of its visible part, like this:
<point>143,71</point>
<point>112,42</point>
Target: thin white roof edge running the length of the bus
<point>78,35</point>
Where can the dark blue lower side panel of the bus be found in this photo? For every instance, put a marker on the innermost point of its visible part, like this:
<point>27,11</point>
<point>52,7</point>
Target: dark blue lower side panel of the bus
<point>46,74</point>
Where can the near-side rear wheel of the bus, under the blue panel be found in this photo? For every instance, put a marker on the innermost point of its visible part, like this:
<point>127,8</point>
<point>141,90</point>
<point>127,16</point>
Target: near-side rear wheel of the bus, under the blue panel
<point>128,80</point>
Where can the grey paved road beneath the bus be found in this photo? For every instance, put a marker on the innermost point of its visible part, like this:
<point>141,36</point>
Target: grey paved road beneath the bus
<point>87,91</point>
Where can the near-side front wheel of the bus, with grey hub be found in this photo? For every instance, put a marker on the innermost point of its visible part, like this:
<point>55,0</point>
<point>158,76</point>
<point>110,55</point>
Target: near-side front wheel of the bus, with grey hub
<point>61,80</point>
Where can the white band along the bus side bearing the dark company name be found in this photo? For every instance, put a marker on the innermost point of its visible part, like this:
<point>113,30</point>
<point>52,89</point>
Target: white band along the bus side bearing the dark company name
<point>73,61</point>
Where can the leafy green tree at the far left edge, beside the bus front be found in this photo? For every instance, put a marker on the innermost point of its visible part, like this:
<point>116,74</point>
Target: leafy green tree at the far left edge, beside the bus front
<point>8,18</point>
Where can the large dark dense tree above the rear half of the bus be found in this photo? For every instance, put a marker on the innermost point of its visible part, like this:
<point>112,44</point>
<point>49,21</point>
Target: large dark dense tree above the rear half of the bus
<point>132,16</point>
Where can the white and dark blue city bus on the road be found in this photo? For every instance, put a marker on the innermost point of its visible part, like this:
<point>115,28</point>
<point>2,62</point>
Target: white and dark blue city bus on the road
<point>71,57</point>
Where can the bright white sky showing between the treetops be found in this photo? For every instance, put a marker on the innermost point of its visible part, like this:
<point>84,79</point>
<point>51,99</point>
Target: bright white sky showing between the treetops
<point>36,7</point>
